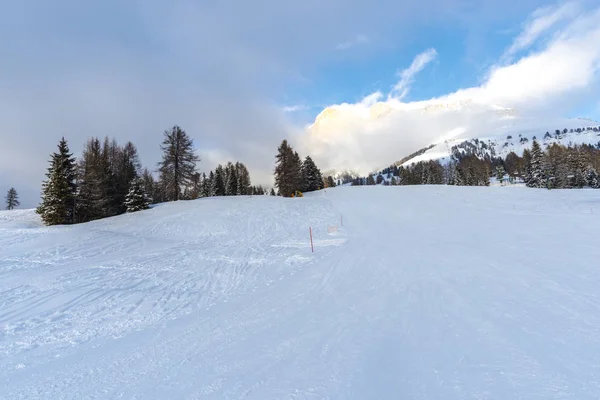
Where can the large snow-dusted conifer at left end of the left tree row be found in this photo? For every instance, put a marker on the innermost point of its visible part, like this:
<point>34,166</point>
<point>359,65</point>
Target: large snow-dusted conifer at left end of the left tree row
<point>58,191</point>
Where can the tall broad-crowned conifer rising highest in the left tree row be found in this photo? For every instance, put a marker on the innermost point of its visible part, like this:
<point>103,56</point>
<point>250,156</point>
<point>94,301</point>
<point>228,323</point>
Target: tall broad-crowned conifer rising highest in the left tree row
<point>178,162</point>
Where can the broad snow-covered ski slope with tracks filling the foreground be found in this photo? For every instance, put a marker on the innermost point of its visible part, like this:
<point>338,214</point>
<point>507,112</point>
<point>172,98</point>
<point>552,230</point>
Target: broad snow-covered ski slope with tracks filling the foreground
<point>426,292</point>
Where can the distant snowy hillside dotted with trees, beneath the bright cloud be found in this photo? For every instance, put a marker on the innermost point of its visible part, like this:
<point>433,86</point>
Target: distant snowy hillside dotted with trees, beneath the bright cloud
<point>515,135</point>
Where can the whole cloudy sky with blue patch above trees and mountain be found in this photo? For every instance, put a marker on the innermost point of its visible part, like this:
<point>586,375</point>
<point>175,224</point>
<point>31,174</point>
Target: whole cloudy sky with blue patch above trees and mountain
<point>240,76</point>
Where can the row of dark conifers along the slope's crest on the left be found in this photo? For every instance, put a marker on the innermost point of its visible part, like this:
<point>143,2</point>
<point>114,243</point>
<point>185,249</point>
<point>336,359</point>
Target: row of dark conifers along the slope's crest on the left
<point>108,179</point>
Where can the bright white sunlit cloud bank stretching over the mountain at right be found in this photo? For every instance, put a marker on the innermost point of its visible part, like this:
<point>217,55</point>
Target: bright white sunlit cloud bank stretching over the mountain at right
<point>379,130</point>
